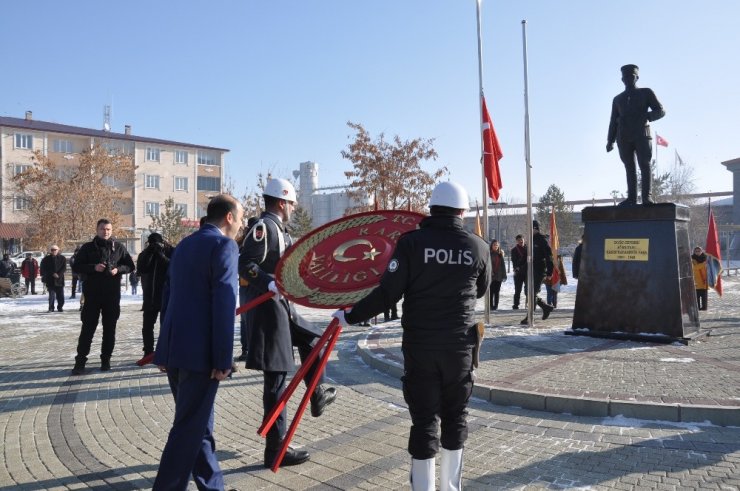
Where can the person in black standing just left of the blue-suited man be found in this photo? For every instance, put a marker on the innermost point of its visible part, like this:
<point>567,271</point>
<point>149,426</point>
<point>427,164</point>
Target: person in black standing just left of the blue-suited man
<point>152,265</point>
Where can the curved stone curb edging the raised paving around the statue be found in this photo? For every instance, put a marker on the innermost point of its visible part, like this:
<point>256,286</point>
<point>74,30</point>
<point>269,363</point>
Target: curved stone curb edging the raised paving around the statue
<point>578,406</point>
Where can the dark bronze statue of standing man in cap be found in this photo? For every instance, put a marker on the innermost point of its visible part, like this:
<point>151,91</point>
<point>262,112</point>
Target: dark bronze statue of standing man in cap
<point>632,110</point>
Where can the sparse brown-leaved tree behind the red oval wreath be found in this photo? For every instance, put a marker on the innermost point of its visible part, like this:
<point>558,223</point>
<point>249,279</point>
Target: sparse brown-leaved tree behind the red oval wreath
<point>390,172</point>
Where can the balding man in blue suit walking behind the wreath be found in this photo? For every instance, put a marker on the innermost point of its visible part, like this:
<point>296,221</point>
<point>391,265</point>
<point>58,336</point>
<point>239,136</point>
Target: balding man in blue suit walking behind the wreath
<point>196,342</point>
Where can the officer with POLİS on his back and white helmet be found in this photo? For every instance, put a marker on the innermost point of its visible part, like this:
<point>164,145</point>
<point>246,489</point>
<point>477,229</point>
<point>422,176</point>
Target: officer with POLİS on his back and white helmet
<point>439,270</point>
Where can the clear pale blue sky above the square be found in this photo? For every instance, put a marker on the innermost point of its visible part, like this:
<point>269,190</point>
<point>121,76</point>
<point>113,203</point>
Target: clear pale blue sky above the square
<point>276,81</point>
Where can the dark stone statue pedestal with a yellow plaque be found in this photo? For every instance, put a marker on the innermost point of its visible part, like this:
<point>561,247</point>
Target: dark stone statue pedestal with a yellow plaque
<point>636,279</point>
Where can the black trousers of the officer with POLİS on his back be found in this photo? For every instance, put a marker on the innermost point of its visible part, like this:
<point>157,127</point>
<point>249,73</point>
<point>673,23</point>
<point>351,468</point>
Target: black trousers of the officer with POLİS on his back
<point>437,384</point>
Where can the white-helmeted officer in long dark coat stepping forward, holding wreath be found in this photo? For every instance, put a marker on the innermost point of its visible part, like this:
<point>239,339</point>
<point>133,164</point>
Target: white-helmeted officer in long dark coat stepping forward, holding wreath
<point>276,326</point>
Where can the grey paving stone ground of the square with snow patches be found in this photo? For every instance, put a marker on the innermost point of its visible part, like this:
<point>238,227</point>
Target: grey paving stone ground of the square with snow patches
<point>106,430</point>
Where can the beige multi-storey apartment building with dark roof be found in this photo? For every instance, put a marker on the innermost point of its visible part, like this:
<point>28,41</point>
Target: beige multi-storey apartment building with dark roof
<point>187,172</point>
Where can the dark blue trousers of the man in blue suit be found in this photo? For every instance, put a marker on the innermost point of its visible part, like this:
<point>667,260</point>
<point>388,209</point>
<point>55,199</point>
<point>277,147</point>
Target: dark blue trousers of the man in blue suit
<point>190,448</point>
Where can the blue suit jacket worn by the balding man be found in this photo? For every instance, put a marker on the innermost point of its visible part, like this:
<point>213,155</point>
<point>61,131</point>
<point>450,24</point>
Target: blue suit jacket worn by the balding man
<point>198,303</point>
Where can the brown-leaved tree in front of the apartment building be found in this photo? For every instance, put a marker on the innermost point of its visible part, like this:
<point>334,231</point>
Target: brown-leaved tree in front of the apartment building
<point>65,201</point>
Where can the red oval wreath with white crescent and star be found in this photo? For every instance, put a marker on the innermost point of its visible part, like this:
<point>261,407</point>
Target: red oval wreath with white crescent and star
<point>340,262</point>
